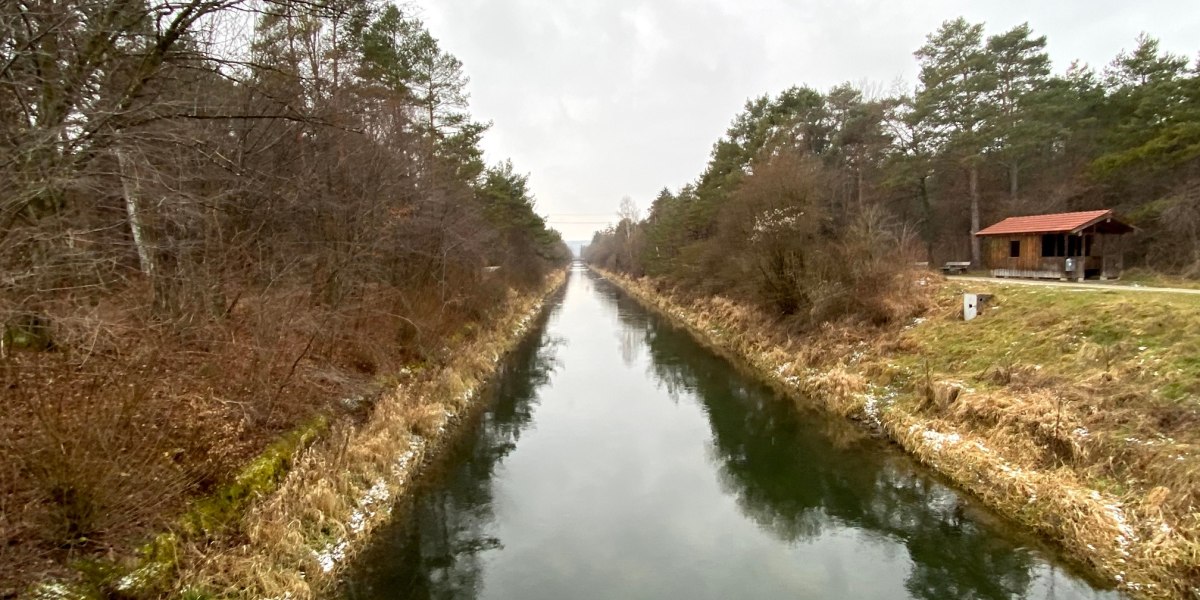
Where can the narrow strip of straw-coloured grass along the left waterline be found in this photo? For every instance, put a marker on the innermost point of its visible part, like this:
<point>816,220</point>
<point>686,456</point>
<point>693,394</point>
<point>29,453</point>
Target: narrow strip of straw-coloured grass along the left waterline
<point>295,542</point>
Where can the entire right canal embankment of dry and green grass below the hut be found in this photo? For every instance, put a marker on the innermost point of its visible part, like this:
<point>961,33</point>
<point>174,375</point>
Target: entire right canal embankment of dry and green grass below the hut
<point>1072,412</point>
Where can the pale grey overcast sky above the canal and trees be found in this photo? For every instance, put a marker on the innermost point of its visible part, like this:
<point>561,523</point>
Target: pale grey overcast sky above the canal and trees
<point>602,99</point>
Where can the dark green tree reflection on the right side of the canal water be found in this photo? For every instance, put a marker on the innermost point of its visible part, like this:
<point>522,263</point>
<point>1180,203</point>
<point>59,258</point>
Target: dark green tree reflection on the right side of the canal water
<point>801,476</point>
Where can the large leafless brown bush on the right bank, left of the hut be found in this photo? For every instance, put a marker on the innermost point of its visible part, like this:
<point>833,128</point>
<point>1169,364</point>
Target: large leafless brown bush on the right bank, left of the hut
<point>779,245</point>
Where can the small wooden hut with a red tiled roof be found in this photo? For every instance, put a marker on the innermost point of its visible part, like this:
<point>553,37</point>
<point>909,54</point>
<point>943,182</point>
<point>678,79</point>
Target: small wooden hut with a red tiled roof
<point>1061,247</point>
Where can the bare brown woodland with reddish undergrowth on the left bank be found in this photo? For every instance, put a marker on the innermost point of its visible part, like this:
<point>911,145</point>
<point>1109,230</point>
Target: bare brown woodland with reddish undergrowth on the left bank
<point>221,218</point>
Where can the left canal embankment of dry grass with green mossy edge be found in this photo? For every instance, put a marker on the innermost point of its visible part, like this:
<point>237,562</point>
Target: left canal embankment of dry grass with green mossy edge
<point>290,521</point>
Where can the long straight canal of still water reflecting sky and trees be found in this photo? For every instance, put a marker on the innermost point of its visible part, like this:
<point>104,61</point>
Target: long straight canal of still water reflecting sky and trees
<point>619,459</point>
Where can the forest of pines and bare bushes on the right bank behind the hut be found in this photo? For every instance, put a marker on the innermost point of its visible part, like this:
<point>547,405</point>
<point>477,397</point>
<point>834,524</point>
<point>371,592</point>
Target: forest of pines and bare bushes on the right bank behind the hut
<point>813,201</point>
